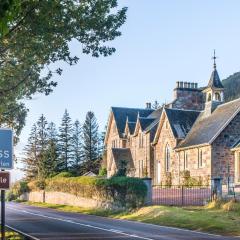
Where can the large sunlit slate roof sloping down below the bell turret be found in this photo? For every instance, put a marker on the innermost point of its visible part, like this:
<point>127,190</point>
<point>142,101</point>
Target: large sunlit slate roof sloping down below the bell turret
<point>206,128</point>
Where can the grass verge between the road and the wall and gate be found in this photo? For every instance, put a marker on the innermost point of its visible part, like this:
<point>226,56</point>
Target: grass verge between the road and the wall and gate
<point>218,218</point>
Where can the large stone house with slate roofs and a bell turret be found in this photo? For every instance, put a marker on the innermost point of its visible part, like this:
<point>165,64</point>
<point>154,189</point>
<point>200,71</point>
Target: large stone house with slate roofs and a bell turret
<point>197,132</point>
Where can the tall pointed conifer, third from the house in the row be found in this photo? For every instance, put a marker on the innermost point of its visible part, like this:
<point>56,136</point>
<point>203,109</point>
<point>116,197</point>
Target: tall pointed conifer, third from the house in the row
<point>65,142</point>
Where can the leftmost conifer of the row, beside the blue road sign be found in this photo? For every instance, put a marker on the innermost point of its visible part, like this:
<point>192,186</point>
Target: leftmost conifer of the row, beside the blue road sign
<point>30,161</point>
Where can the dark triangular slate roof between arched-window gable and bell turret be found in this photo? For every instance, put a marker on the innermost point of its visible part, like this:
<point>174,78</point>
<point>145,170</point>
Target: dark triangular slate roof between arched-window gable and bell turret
<point>181,121</point>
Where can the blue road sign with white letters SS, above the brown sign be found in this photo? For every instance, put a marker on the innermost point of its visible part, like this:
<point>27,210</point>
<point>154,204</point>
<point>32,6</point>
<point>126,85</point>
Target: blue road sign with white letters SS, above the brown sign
<point>6,148</point>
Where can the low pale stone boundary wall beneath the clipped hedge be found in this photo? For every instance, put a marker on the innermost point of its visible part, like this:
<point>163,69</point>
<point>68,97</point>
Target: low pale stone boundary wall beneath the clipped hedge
<point>64,199</point>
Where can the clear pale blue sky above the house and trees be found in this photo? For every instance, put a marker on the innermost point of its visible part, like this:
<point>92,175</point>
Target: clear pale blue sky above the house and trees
<point>162,42</point>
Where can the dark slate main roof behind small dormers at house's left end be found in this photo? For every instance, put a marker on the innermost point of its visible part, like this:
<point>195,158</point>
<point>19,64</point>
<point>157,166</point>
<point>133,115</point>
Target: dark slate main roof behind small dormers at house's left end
<point>121,114</point>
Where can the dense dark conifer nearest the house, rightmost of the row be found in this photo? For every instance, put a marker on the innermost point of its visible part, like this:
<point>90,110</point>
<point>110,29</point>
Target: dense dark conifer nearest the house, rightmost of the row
<point>90,143</point>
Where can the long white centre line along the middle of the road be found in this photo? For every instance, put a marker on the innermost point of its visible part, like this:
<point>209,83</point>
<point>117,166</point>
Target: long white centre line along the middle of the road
<point>81,224</point>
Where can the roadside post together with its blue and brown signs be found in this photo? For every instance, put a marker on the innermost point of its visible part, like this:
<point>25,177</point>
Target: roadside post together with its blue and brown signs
<point>6,162</point>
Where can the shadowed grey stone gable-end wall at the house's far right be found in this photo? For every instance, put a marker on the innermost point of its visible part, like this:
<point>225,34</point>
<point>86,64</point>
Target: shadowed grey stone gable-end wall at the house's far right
<point>223,162</point>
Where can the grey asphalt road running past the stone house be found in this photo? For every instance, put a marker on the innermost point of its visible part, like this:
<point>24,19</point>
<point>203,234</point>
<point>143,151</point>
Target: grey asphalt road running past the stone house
<point>42,223</point>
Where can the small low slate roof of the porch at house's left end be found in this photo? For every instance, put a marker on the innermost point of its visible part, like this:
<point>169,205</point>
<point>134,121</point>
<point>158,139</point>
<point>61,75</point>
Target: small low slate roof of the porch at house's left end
<point>120,154</point>
